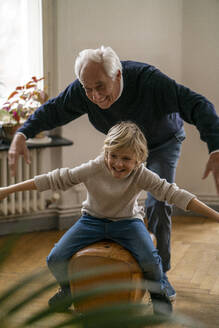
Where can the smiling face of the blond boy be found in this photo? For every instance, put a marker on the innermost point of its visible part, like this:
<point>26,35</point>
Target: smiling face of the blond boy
<point>121,162</point>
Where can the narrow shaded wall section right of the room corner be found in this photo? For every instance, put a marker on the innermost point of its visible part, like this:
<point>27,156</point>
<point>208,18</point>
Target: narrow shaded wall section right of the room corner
<point>200,72</point>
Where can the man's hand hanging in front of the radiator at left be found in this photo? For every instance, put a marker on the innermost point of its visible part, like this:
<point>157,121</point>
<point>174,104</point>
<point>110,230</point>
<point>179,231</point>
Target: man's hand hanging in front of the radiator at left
<point>18,147</point>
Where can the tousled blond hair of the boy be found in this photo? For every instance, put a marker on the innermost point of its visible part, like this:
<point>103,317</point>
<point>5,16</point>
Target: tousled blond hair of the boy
<point>126,135</point>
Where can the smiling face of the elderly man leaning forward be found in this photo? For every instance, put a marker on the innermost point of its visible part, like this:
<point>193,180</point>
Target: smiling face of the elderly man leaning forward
<point>101,89</point>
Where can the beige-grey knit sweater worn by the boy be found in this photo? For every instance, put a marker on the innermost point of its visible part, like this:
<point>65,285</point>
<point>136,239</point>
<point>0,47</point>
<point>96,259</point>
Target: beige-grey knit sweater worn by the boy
<point>108,197</point>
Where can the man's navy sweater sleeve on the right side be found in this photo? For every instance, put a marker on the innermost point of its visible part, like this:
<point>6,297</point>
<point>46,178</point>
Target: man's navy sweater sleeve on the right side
<point>193,108</point>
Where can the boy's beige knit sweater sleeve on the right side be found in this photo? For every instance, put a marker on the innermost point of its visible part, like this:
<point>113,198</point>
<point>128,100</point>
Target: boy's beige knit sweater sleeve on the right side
<point>165,191</point>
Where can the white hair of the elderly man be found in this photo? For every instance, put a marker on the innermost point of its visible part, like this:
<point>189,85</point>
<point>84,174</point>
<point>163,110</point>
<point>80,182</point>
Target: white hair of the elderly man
<point>104,55</point>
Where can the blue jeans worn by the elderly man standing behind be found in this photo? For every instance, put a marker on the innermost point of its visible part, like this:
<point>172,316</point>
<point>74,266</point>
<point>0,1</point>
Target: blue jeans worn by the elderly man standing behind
<point>163,161</point>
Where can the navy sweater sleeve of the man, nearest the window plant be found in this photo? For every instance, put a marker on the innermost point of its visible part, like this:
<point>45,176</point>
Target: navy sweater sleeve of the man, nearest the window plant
<point>67,106</point>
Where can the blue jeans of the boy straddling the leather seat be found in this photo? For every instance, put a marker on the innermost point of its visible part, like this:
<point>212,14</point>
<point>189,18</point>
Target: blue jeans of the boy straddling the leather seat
<point>131,234</point>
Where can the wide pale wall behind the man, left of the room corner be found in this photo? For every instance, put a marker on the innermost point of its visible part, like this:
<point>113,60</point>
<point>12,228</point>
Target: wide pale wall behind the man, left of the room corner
<point>139,30</point>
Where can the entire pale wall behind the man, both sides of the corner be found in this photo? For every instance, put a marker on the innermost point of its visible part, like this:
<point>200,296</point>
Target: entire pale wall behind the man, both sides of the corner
<point>177,36</point>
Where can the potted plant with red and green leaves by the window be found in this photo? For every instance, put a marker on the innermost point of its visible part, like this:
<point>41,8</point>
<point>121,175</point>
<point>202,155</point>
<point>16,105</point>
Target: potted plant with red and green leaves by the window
<point>20,104</point>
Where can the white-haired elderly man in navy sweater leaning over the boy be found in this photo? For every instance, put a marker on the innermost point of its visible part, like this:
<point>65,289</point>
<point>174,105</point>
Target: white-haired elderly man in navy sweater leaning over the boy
<point>108,91</point>
